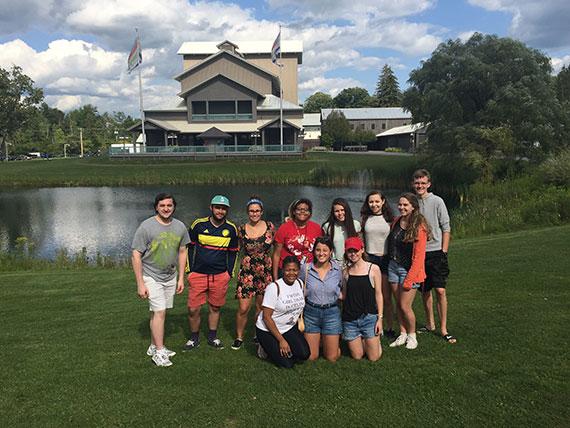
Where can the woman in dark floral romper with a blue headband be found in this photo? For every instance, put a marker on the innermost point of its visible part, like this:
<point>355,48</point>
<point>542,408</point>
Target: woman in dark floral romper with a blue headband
<point>255,269</point>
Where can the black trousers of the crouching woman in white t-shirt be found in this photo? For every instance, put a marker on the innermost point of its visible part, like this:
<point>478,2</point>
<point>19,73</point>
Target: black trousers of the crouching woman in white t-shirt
<point>295,339</point>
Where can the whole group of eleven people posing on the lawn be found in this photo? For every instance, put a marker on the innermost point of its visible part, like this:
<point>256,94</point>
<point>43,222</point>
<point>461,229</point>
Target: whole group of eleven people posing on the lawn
<point>341,277</point>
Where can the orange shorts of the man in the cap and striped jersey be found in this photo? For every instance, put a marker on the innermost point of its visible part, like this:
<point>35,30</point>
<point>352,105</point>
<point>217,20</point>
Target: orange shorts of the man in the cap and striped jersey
<point>212,286</point>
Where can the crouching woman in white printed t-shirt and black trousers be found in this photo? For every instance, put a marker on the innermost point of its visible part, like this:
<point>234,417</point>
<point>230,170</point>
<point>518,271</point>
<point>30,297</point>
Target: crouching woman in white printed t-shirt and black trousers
<point>279,338</point>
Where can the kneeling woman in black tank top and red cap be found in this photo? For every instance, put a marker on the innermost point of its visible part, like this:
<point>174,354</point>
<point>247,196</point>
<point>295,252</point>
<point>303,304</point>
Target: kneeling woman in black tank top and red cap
<point>362,308</point>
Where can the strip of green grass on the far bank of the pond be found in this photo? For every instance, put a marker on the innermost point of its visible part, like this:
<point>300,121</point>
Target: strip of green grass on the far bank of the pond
<point>316,169</point>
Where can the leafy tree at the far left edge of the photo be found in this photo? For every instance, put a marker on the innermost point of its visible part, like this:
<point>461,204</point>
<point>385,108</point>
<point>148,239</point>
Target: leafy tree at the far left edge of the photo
<point>18,101</point>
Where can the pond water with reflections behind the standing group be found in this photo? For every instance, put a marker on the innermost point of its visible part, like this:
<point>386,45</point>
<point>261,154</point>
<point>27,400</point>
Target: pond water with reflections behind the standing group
<point>104,219</point>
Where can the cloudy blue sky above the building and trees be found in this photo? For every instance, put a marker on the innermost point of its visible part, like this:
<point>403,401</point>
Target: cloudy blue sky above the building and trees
<point>76,50</point>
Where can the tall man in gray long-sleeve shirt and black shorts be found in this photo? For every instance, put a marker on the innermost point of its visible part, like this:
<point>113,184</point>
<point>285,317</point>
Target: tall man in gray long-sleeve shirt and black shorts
<point>437,270</point>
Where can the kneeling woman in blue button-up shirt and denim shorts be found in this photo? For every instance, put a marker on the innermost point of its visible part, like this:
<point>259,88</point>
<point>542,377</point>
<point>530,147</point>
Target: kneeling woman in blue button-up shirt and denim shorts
<point>322,278</point>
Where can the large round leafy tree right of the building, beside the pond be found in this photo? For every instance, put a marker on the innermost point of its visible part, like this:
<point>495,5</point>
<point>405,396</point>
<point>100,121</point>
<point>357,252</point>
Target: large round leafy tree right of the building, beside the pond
<point>486,99</point>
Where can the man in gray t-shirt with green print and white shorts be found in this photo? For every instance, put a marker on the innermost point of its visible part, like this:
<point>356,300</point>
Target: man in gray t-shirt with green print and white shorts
<point>159,257</point>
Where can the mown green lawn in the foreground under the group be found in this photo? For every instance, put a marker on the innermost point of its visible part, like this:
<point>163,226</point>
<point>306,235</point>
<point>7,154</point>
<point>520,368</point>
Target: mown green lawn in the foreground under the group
<point>74,342</point>
